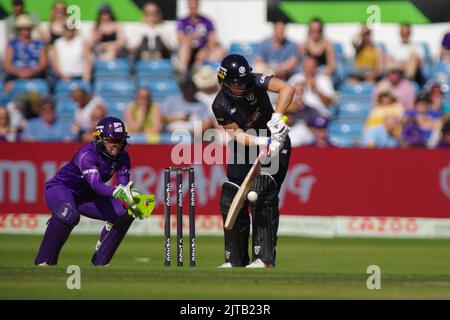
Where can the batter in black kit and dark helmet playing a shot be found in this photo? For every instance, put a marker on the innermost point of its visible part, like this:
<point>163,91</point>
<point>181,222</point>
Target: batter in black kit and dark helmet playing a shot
<point>243,103</point>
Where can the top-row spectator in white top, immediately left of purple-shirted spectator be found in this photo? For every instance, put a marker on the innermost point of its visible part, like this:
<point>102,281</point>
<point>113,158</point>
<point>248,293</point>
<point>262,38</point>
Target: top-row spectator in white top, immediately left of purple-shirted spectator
<point>152,40</point>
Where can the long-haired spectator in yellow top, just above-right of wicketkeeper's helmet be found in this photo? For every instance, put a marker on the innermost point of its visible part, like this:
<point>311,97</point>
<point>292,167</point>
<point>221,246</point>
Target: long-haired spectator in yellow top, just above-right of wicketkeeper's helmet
<point>143,115</point>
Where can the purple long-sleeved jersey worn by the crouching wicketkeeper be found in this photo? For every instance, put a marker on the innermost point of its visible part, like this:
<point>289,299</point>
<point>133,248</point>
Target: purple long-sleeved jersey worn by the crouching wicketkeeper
<point>88,171</point>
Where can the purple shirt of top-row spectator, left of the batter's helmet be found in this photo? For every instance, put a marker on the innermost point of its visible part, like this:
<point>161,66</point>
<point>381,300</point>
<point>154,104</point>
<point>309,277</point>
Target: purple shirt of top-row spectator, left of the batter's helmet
<point>202,26</point>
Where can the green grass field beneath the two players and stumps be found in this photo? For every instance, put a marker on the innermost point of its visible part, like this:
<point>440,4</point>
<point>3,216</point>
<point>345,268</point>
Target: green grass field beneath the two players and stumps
<point>307,268</point>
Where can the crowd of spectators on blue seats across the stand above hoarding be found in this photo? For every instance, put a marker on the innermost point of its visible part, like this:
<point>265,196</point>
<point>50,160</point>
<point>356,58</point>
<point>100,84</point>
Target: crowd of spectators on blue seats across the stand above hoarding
<point>56,84</point>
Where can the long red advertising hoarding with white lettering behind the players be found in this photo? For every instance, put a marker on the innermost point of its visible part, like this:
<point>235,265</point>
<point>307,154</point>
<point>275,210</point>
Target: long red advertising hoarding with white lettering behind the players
<point>320,182</point>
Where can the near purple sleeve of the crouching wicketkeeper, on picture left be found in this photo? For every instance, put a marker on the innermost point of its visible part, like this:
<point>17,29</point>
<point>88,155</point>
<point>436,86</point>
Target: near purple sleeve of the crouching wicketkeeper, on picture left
<point>90,172</point>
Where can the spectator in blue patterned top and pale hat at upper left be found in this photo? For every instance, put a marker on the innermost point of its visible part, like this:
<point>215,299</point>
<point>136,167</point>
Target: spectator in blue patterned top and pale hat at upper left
<point>25,58</point>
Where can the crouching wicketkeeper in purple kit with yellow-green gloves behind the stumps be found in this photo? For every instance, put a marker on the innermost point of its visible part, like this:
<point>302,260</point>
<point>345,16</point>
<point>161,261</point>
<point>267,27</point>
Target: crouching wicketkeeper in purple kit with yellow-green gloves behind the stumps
<point>79,189</point>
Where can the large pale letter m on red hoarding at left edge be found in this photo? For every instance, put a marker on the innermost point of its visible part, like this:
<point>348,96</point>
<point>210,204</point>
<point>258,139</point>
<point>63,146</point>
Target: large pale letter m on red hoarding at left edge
<point>17,172</point>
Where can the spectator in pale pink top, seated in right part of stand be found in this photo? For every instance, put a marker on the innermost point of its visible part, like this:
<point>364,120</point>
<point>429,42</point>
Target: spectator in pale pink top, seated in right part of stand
<point>403,89</point>
